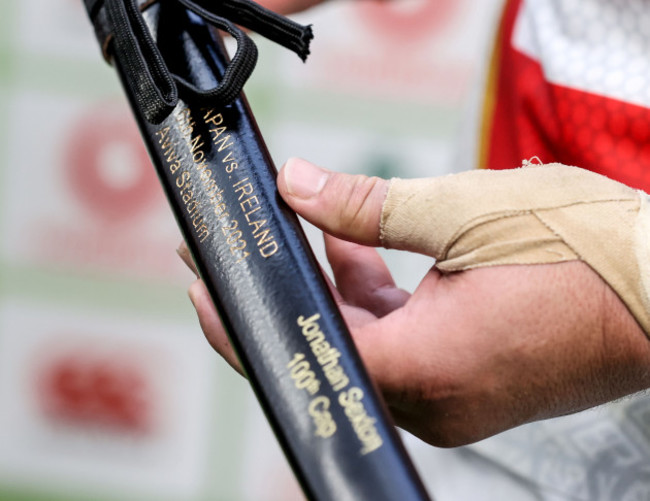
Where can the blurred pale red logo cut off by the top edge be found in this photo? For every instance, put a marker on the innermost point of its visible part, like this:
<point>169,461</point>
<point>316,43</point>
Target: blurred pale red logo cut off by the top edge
<point>405,20</point>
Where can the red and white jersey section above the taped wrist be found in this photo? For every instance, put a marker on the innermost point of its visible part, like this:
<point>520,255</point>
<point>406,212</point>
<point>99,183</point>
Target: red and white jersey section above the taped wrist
<point>569,81</point>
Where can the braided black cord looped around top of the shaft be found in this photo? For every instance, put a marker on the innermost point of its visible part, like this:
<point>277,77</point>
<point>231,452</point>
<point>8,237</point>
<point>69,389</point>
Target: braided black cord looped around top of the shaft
<point>155,87</point>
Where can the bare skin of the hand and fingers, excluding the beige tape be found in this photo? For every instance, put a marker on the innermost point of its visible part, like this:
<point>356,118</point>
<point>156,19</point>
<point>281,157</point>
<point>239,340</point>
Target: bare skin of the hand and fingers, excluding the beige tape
<point>471,353</point>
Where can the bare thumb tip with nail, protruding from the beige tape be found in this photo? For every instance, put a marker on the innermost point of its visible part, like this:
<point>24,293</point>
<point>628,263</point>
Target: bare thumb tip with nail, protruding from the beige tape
<point>346,206</point>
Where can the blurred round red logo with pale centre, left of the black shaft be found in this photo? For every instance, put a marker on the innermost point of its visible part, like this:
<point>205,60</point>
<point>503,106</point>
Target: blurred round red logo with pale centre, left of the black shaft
<point>107,166</point>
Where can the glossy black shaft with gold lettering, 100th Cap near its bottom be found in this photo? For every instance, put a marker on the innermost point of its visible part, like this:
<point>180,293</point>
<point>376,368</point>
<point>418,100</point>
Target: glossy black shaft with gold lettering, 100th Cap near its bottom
<point>255,260</point>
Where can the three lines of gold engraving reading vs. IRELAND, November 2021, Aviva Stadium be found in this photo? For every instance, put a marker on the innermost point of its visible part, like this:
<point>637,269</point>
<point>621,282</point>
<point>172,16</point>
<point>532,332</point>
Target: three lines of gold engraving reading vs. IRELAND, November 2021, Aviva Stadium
<point>202,181</point>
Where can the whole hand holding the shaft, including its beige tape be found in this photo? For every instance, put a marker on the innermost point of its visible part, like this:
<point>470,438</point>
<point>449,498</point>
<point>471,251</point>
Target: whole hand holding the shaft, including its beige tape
<point>536,307</point>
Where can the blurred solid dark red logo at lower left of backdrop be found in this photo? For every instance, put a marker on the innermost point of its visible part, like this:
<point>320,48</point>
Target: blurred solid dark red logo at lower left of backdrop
<point>89,389</point>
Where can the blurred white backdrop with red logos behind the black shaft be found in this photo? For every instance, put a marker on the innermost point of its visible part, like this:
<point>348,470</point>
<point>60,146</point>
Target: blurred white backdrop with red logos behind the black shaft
<point>108,390</point>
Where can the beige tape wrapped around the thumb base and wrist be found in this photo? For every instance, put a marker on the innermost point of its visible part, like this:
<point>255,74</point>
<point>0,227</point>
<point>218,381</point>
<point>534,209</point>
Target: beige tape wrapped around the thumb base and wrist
<point>531,215</point>
